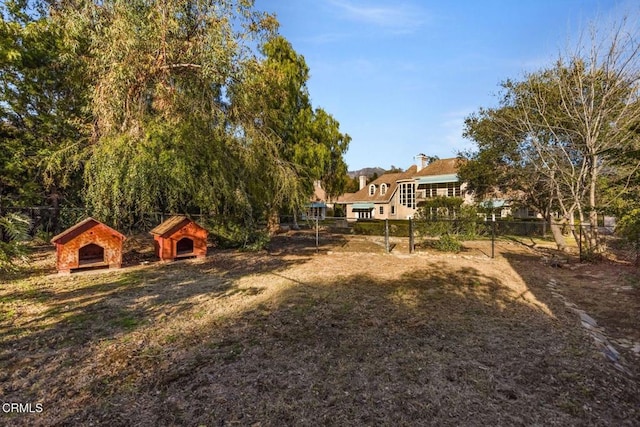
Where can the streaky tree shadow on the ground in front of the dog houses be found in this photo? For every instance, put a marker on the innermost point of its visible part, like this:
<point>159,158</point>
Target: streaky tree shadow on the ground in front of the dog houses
<point>51,326</point>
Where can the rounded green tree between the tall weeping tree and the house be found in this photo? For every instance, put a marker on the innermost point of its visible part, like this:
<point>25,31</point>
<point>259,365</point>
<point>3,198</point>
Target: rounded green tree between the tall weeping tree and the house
<point>276,97</point>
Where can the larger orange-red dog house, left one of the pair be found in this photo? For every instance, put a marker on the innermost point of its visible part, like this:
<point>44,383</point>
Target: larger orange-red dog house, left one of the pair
<point>89,243</point>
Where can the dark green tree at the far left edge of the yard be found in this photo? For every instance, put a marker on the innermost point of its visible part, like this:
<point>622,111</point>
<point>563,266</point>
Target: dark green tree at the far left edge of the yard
<point>42,110</point>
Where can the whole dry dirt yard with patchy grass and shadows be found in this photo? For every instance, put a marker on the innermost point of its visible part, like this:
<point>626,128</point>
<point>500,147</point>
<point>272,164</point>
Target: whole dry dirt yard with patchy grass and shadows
<point>343,335</point>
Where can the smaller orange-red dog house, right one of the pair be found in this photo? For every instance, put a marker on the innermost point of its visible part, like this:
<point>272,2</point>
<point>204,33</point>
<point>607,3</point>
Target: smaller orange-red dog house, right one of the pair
<point>179,237</point>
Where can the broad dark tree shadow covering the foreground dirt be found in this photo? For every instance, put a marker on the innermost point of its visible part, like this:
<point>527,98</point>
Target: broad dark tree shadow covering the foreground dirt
<point>433,346</point>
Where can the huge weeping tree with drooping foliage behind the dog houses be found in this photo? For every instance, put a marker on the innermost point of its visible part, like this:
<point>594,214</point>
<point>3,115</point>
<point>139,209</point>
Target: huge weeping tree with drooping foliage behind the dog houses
<point>167,136</point>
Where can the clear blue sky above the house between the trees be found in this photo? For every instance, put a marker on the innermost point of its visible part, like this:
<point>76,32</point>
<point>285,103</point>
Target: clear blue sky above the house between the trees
<point>401,76</point>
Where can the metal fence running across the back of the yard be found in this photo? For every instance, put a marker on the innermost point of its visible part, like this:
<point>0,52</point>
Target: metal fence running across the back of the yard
<point>48,221</point>
